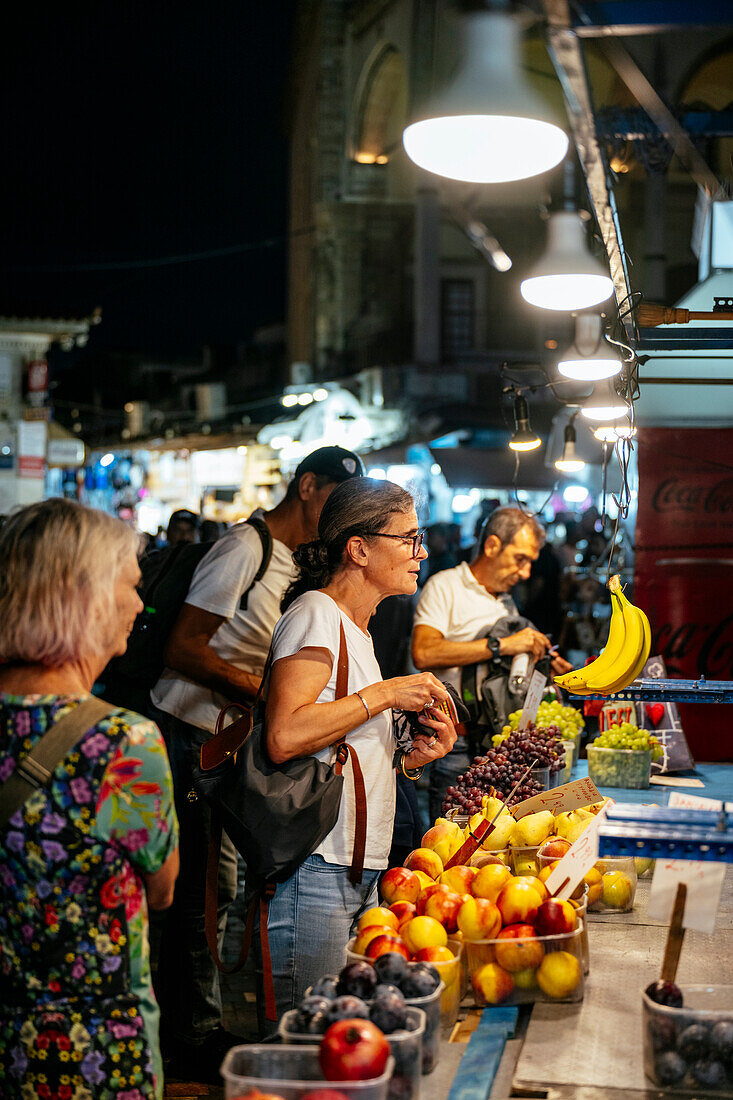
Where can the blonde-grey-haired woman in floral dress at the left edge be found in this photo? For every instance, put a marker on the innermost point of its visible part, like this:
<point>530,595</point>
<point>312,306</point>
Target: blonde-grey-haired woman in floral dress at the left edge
<point>86,854</point>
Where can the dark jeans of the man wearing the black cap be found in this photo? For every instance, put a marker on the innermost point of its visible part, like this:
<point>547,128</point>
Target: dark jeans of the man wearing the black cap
<point>188,985</point>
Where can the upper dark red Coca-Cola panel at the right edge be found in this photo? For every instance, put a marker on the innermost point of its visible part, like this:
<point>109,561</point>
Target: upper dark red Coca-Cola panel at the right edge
<point>685,489</point>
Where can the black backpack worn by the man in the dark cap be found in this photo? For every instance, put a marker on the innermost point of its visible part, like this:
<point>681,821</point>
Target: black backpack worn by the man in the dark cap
<point>167,577</point>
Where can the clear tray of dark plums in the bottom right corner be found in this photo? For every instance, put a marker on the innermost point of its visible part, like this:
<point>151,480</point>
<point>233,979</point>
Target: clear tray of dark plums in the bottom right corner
<point>688,1038</point>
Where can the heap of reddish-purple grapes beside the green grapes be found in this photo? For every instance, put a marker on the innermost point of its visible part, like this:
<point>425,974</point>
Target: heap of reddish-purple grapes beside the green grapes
<point>501,767</point>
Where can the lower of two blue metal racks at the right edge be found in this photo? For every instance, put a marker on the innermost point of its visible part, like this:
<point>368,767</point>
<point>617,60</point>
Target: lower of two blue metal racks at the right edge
<point>661,833</point>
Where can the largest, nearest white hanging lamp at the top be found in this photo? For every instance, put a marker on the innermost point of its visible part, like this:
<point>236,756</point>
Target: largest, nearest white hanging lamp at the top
<point>488,126</point>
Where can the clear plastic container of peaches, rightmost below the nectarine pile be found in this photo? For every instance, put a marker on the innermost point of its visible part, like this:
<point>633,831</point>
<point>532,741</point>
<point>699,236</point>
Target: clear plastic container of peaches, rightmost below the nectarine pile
<point>541,981</point>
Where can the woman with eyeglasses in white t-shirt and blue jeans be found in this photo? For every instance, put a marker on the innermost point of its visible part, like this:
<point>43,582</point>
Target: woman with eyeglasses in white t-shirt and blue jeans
<point>369,547</point>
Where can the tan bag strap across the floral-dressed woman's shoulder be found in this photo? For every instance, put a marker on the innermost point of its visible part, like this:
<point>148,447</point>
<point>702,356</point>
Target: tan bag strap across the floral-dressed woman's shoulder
<point>36,771</point>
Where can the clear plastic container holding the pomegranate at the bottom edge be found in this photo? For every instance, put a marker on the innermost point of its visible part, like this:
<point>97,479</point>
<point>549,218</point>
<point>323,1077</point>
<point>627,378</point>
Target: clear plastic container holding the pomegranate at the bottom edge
<point>291,1073</point>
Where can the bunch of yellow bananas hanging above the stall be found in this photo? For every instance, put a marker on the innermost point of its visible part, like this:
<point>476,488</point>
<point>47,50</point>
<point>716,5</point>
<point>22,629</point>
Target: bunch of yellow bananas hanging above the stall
<point>626,654</point>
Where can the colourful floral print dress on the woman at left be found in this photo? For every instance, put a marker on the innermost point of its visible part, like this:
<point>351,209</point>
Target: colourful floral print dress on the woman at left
<point>79,1017</point>
